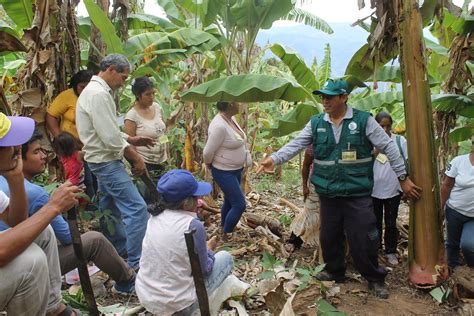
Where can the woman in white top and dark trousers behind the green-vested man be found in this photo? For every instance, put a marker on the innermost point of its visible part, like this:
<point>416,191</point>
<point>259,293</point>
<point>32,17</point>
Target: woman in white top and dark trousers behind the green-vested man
<point>386,193</point>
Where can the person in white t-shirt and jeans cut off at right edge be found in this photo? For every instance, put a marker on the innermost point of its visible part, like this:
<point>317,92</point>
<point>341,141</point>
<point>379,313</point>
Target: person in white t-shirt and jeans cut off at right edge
<point>457,197</point>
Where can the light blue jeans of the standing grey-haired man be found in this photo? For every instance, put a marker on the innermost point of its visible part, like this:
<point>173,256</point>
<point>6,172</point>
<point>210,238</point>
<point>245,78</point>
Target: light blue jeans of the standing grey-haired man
<point>120,196</point>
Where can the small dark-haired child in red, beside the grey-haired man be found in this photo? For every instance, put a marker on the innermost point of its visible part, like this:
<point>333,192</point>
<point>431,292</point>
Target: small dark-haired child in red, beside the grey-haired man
<point>71,158</point>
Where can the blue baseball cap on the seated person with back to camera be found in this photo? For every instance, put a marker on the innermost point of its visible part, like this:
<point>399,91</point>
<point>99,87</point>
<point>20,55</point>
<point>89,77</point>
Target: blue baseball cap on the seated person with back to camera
<point>179,184</point>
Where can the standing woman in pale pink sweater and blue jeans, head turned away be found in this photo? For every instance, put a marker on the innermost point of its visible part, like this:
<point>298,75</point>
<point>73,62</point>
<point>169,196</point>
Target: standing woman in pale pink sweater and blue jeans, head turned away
<point>226,155</point>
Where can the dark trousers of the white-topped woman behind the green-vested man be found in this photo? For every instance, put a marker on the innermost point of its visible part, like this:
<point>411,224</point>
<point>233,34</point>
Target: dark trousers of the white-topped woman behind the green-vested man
<point>386,210</point>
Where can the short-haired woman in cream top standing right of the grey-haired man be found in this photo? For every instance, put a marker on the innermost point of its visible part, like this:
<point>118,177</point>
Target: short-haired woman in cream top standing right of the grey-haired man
<point>145,118</point>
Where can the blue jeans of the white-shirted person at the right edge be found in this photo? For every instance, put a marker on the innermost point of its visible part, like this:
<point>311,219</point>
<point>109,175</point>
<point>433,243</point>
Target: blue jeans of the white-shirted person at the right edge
<point>460,232</point>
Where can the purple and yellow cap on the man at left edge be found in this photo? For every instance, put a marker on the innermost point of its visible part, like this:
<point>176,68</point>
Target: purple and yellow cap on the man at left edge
<point>15,130</point>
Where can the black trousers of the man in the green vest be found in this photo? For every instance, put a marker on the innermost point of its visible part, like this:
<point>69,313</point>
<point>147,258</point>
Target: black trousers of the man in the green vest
<point>355,218</point>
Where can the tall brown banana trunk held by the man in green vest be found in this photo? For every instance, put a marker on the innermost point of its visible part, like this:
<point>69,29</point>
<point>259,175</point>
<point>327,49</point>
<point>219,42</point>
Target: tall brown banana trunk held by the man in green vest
<point>426,251</point>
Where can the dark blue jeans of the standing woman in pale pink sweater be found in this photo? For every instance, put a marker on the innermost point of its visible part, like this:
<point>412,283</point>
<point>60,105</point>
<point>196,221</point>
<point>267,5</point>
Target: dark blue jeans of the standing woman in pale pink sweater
<point>234,200</point>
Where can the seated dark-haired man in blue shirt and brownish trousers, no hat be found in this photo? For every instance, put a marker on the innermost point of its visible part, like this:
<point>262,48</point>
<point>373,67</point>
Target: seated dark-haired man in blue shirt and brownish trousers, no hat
<point>96,247</point>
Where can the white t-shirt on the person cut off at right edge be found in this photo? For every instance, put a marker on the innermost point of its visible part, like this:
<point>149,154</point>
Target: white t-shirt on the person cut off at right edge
<point>461,198</point>
